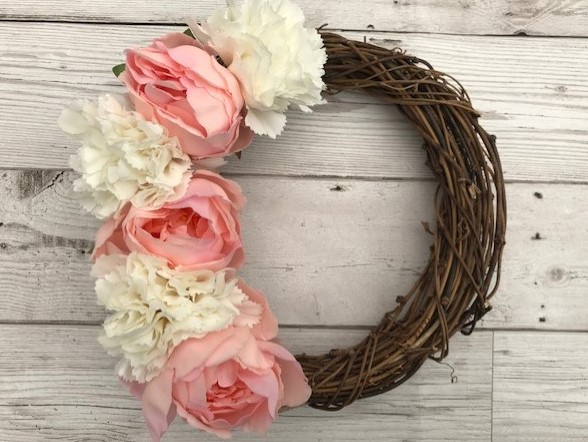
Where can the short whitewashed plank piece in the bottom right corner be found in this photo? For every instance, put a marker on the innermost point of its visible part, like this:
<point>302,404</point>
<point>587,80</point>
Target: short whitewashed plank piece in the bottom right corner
<point>540,387</point>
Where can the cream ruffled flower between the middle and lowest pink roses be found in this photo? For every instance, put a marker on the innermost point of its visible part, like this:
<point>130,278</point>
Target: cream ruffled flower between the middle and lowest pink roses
<point>154,308</point>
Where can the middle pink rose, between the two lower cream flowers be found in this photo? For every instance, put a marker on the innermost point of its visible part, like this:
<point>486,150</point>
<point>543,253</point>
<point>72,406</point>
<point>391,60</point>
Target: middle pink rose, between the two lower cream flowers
<point>201,230</point>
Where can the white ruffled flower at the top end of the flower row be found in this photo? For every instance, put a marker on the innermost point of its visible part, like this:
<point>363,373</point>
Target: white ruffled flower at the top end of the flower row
<point>276,59</point>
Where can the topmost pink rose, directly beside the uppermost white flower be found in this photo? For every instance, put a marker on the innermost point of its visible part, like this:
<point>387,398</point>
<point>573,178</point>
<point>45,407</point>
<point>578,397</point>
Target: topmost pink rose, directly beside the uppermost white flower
<point>180,84</point>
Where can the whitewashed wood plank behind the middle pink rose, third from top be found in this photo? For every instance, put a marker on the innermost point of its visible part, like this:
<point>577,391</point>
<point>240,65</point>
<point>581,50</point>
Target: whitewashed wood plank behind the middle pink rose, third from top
<point>337,258</point>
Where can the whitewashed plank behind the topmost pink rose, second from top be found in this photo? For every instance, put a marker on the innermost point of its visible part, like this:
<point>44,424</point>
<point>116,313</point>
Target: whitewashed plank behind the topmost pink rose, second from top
<point>536,111</point>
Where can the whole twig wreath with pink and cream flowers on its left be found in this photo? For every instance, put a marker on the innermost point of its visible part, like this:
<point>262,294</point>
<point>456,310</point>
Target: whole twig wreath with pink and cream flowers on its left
<point>192,338</point>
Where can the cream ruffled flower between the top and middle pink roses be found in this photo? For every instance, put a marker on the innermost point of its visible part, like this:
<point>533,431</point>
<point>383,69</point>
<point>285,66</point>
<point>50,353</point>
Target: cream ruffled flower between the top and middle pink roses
<point>122,157</point>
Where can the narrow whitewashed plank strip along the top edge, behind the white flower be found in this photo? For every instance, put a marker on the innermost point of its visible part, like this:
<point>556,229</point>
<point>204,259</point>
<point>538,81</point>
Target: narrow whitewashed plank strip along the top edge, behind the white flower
<point>533,17</point>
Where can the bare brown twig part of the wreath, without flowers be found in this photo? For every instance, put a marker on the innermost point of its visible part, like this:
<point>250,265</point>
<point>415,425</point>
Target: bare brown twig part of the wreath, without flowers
<point>463,271</point>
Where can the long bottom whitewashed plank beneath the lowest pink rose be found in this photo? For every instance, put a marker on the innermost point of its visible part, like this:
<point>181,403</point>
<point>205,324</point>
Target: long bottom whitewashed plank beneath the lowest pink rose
<point>61,386</point>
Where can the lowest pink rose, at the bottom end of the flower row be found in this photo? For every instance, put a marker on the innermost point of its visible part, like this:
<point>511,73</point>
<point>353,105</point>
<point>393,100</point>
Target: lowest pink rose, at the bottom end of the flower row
<point>228,379</point>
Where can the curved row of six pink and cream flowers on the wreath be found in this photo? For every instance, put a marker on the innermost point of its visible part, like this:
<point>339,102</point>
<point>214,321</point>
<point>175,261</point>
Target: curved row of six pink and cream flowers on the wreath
<point>192,338</point>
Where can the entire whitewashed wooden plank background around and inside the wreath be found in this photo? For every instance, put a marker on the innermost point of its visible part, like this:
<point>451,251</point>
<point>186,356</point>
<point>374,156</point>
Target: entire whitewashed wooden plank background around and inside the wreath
<point>332,263</point>
